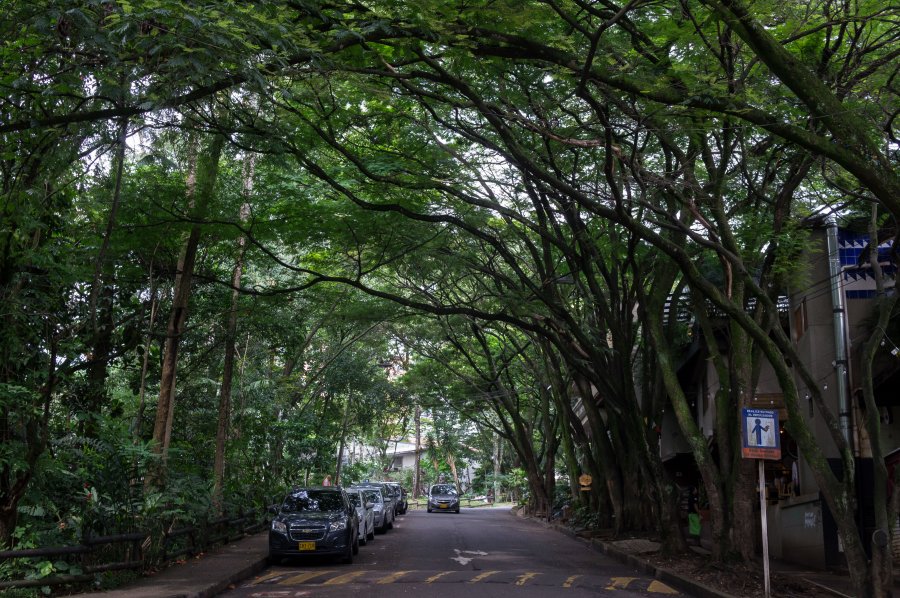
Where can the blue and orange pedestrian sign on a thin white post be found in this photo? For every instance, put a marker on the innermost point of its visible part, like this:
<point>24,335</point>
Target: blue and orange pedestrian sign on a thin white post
<point>761,440</point>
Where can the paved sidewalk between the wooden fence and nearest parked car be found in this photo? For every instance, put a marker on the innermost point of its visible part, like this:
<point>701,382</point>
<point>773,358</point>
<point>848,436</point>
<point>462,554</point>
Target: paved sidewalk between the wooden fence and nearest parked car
<point>202,577</point>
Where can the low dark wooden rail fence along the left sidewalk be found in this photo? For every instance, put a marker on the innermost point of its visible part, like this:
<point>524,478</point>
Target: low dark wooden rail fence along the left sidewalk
<point>92,556</point>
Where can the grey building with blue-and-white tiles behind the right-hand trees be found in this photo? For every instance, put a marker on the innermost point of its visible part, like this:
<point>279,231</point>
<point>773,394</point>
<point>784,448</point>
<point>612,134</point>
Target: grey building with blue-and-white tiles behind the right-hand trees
<point>829,313</point>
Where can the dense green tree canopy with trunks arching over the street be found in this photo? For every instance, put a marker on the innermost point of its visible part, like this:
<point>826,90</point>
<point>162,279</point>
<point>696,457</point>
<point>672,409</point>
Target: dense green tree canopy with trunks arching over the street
<point>218,219</point>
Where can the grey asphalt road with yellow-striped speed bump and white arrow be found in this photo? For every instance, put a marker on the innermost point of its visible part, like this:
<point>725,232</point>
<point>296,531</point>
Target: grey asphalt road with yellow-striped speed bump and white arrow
<point>477,553</point>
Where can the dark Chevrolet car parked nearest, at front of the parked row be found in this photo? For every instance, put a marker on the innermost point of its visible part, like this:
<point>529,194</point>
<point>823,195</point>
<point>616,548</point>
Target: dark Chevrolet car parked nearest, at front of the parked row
<point>314,521</point>
